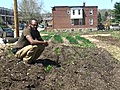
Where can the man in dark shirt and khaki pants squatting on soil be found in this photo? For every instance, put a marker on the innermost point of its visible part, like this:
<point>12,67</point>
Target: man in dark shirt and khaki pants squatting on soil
<point>30,44</point>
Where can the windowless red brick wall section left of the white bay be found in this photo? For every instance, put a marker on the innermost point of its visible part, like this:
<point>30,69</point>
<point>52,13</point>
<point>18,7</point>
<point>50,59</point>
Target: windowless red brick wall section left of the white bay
<point>60,18</point>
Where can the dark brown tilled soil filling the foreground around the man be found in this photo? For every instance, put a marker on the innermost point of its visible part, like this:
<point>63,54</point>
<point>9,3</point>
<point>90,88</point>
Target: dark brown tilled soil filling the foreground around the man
<point>74,68</point>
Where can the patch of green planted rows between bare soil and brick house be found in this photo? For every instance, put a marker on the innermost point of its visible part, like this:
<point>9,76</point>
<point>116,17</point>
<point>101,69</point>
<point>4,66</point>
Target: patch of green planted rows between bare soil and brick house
<point>73,38</point>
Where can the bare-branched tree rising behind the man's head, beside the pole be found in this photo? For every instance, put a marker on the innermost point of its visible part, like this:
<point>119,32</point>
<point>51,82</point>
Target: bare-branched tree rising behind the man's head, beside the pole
<point>30,8</point>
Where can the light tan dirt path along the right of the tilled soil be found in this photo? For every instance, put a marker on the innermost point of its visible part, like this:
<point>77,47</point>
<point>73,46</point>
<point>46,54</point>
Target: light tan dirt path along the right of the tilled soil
<point>112,49</point>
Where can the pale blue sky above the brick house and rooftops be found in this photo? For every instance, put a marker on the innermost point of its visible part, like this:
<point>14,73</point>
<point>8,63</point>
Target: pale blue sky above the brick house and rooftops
<point>48,4</point>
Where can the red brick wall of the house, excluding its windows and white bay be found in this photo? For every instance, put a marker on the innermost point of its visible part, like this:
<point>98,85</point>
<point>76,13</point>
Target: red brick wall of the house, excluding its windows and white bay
<point>62,20</point>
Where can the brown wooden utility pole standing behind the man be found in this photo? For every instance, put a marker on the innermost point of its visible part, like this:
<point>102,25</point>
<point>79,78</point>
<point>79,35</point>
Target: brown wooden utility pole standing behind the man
<point>16,18</point>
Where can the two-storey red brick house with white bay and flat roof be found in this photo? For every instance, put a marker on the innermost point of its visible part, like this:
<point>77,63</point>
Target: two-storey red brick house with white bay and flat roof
<point>75,17</point>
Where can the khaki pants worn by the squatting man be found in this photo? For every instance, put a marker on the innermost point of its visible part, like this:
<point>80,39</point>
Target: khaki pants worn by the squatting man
<point>30,53</point>
